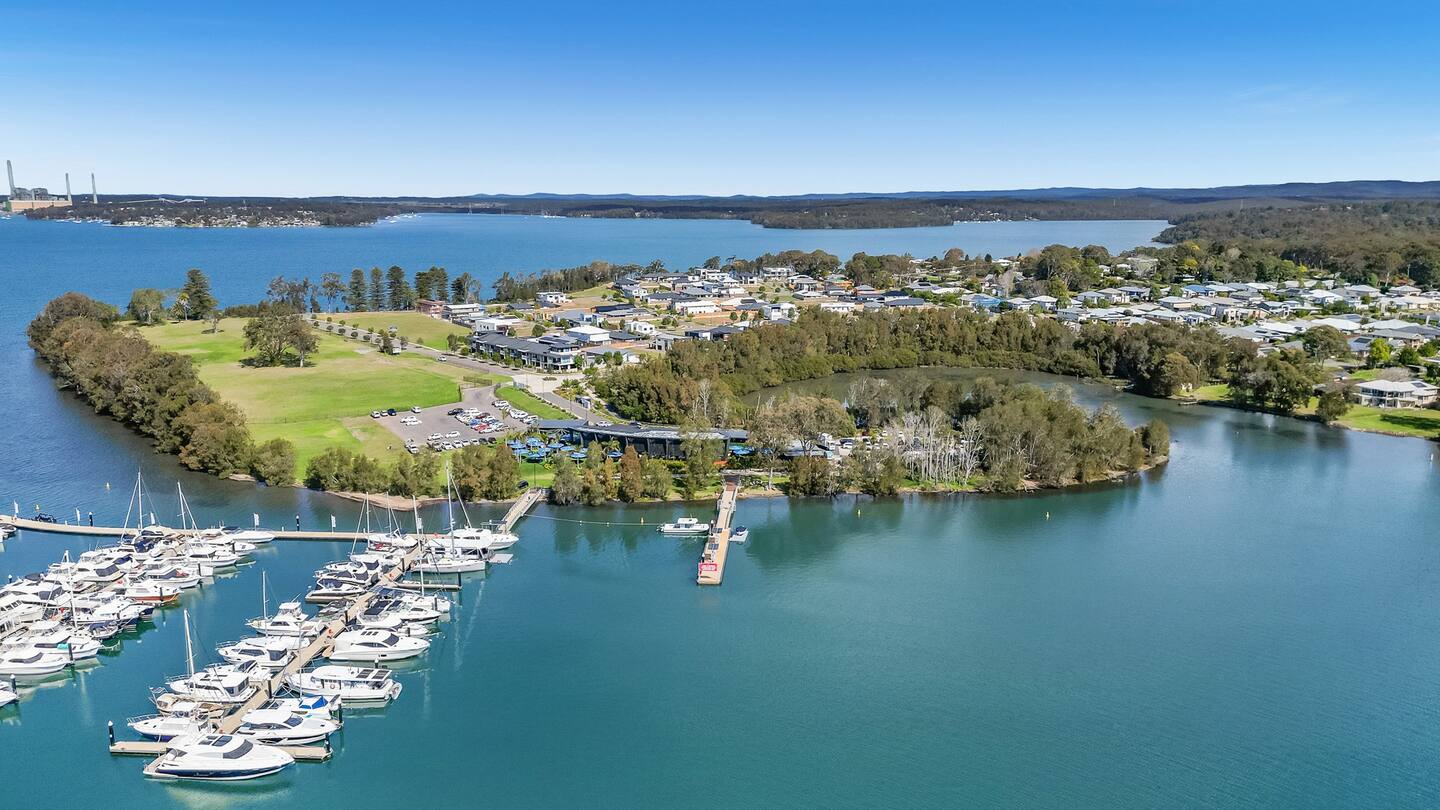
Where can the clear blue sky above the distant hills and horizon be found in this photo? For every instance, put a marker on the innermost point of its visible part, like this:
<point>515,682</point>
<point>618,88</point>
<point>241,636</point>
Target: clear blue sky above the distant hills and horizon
<point>715,99</point>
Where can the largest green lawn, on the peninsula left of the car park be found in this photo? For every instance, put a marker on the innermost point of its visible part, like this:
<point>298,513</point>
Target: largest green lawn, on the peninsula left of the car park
<point>325,404</point>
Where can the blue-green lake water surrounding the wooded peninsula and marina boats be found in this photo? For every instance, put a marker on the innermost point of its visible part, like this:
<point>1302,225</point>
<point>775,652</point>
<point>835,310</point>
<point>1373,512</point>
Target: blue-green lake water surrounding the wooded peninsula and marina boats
<point>1254,625</point>
